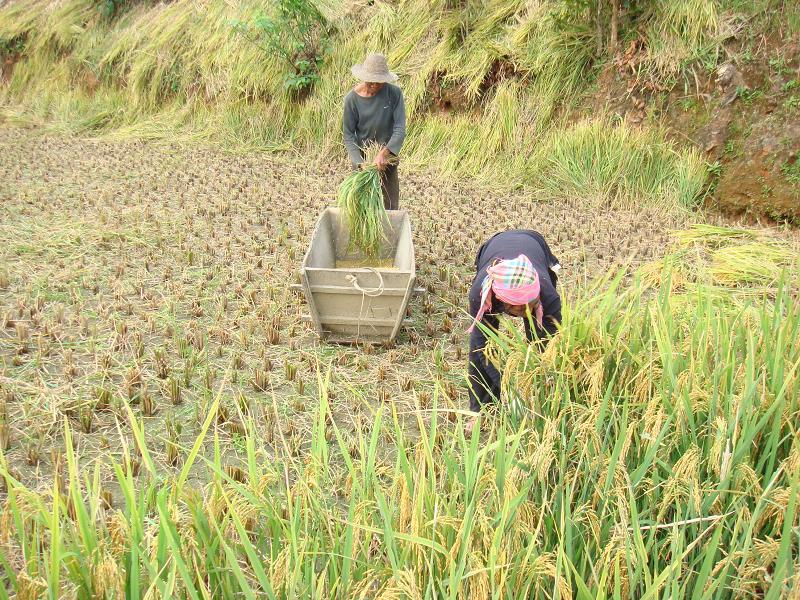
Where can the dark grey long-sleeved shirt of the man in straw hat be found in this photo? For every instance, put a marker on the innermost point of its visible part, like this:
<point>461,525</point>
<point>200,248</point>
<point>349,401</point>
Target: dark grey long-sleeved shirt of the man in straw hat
<point>380,119</point>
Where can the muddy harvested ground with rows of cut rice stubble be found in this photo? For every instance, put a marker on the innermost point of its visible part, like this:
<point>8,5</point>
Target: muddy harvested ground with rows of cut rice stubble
<point>135,267</point>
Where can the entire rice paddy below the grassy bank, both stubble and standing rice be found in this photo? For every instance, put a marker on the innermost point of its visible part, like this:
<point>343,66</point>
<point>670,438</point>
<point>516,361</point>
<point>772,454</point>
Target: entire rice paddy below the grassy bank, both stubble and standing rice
<point>171,427</point>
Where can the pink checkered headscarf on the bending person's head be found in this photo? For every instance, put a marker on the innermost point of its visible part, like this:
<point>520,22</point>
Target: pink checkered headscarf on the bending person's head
<point>513,281</point>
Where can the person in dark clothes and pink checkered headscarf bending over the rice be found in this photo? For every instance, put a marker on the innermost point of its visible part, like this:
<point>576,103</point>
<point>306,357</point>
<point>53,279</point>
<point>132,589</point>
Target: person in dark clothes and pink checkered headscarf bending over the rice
<point>516,275</point>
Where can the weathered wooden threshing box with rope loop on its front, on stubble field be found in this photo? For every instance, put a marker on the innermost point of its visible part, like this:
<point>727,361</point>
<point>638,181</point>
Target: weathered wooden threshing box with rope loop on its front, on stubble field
<point>354,303</point>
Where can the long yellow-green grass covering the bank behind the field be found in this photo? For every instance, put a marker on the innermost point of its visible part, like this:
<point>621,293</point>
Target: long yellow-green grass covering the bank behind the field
<point>489,85</point>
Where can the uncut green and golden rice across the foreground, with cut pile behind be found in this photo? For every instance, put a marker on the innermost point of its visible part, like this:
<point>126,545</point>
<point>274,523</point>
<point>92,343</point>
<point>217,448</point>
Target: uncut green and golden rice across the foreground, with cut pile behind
<point>652,450</point>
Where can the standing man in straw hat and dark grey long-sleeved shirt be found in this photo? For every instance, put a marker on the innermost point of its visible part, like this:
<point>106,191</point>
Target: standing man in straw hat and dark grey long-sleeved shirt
<point>374,113</point>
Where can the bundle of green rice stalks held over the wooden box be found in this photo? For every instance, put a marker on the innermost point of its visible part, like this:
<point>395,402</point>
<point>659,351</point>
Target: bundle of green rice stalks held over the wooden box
<point>361,201</point>
